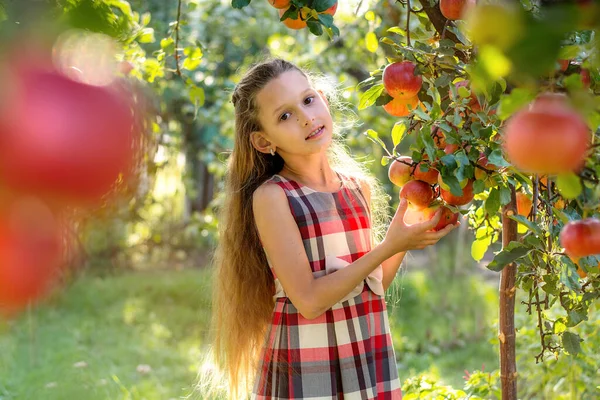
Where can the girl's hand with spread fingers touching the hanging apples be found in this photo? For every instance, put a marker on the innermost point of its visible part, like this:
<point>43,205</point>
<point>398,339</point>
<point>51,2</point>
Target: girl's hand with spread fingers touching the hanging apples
<point>401,237</point>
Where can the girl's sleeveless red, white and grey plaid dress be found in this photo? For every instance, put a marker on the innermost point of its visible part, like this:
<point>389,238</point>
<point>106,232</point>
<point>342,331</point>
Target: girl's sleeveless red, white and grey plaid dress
<point>346,353</point>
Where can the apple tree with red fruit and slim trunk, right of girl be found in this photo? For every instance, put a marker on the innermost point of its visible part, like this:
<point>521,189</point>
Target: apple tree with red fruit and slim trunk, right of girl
<point>500,99</point>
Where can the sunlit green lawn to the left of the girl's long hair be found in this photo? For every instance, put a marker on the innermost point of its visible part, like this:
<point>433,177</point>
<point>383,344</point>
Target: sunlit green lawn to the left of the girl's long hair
<point>135,336</point>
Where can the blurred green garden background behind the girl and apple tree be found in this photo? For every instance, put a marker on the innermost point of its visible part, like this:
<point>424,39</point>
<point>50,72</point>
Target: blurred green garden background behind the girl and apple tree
<point>132,318</point>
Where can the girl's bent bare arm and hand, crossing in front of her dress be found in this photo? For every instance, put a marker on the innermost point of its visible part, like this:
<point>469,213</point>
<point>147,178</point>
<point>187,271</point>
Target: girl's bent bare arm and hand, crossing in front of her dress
<point>283,243</point>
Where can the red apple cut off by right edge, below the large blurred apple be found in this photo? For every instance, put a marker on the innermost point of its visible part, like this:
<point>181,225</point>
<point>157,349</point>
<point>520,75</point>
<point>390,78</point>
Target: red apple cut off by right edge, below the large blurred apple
<point>581,238</point>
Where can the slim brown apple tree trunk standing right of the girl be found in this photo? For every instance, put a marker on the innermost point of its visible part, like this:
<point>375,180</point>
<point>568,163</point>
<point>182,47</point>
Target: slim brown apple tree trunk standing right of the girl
<point>506,334</point>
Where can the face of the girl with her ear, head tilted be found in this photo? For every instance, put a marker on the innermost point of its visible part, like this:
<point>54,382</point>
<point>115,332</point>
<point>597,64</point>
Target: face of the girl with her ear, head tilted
<point>294,116</point>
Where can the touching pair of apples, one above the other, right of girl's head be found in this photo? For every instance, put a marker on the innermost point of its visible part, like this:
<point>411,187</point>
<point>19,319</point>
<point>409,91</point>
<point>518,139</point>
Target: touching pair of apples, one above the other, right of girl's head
<point>401,82</point>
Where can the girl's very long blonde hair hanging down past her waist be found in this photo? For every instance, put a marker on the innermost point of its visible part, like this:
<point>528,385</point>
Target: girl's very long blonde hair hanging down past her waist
<point>243,287</point>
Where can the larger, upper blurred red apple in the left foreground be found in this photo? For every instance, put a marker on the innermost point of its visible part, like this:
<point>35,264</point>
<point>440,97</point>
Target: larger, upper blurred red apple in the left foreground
<point>60,138</point>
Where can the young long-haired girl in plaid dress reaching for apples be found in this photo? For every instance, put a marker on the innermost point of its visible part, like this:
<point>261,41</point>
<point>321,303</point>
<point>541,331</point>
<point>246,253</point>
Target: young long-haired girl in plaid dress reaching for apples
<point>299,308</point>
